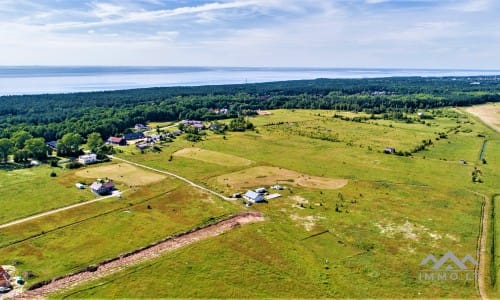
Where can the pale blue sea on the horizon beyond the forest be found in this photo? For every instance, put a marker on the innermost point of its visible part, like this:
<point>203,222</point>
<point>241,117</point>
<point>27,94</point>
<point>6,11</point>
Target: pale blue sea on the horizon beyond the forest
<point>19,80</point>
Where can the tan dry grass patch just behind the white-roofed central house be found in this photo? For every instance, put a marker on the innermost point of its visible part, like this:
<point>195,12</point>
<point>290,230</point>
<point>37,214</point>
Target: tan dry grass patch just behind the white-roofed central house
<point>264,176</point>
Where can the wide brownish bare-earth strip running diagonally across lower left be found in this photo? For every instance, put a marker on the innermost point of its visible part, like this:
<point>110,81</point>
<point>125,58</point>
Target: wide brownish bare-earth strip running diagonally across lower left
<point>112,266</point>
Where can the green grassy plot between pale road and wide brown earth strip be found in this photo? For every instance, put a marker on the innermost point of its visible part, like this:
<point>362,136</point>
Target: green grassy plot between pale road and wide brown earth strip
<point>85,236</point>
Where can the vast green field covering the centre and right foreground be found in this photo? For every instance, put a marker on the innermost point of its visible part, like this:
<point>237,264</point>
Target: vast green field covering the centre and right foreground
<point>365,239</point>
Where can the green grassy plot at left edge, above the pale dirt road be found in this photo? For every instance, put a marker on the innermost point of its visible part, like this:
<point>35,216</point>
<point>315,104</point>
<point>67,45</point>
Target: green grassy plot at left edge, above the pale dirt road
<point>29,191</point>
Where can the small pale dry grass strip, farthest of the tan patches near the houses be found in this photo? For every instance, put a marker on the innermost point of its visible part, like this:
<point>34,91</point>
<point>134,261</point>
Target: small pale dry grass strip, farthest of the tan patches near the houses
<point>213,157</point>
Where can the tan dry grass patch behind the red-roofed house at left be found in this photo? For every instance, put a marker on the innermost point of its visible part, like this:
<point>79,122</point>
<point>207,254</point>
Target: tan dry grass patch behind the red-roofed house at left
<point>121,172</point>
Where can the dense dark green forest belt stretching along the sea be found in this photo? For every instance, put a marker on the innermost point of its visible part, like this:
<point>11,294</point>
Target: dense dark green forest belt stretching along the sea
<point>51,116</point>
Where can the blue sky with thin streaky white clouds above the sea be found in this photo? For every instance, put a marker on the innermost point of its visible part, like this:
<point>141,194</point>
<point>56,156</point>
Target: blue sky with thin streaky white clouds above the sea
<point>265,33</point>
